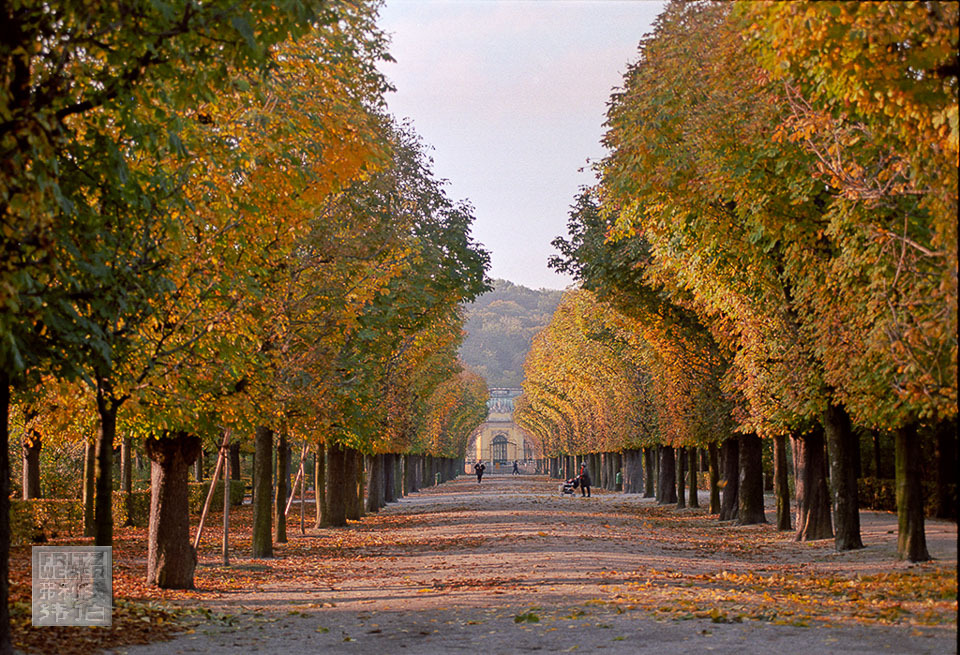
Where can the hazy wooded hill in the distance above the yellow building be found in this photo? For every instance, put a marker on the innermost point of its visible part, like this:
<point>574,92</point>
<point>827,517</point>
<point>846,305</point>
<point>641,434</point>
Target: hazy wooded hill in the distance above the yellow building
<point>500,327</point>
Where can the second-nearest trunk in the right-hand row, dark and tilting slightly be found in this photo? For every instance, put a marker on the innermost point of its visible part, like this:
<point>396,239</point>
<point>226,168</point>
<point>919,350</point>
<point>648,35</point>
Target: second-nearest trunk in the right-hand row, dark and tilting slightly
<point>841,443</point>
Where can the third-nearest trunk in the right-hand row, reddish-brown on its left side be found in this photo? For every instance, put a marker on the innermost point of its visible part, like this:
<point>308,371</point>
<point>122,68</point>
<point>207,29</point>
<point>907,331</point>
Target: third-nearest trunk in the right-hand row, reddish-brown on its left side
<point>813,497</point>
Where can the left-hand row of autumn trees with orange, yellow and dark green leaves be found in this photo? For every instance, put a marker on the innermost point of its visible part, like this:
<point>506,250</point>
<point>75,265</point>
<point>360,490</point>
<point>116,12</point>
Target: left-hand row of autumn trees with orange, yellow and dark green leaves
<point>209,223</point>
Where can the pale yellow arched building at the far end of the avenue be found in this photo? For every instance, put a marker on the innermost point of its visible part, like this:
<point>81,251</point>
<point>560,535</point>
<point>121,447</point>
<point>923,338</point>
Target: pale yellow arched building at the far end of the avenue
<point>500,442</point>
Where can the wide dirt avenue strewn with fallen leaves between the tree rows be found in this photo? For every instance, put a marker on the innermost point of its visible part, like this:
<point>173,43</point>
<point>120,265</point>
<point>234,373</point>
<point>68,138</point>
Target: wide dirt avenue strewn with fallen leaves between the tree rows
<point>510,566</point>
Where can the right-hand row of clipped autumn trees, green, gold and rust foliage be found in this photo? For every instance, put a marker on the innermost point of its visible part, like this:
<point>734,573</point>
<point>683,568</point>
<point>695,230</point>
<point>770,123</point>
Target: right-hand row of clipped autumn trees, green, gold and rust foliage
<point>775,228</point>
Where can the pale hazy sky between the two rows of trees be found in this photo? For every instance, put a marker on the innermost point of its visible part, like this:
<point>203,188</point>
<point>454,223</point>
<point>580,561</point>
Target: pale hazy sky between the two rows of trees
<point>511,95</point>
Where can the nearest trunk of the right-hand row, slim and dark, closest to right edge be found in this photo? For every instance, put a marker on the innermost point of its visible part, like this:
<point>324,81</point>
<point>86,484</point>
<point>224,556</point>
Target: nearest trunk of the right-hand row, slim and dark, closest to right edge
<point>911,539</point>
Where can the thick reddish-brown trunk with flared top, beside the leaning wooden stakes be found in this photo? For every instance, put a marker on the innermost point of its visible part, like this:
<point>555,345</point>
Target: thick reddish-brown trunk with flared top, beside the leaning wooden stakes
<point>171,558</point>
